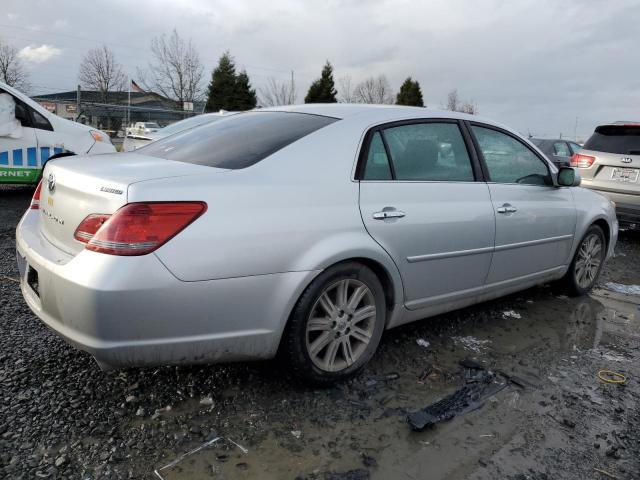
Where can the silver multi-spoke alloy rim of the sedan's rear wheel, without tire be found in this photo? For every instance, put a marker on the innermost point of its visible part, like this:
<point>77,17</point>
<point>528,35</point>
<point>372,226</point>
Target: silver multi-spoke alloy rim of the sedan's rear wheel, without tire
<point>341,324</point>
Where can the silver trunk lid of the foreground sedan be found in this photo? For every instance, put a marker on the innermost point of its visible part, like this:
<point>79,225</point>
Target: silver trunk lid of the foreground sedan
<point>75,187</point>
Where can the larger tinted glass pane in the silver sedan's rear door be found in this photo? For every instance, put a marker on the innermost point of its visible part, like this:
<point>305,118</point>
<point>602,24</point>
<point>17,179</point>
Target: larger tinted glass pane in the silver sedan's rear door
<point>428,152</point>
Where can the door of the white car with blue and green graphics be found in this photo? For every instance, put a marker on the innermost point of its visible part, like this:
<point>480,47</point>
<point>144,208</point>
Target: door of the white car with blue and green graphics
<point>19,156</point>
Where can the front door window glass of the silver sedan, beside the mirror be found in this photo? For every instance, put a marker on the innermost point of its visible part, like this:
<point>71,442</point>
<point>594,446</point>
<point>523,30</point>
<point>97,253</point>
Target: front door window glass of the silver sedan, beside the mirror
<point>509,160</point>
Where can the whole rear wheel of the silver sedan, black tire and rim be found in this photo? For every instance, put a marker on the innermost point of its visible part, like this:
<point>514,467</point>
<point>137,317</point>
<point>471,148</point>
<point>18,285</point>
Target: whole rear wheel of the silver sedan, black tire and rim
<point>336,325</point>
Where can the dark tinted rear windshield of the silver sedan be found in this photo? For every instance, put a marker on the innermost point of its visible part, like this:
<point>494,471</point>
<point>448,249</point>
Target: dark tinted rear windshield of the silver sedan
<point>237,141</point>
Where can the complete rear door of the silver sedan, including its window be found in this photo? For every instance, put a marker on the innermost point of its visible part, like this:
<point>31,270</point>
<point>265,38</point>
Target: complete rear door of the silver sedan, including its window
<point>420,200</point>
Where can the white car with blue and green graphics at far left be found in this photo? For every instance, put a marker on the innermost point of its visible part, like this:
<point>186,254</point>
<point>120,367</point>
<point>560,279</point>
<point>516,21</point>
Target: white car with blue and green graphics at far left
<point>30,135</point>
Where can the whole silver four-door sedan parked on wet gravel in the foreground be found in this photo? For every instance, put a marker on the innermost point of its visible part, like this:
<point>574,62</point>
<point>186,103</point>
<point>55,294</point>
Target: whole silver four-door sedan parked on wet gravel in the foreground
<point>307,230</point>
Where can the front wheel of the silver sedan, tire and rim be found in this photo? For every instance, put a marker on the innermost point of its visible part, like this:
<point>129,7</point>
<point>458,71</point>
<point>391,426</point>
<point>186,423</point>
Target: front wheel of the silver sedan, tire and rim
<point>586,265</point>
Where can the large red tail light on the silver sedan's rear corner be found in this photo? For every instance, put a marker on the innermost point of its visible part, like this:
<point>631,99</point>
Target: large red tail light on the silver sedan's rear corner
<point>141,228</point>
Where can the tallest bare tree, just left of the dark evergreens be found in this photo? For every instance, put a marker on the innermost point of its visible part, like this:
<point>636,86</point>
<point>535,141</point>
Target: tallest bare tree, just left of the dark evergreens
<point>176,70</point>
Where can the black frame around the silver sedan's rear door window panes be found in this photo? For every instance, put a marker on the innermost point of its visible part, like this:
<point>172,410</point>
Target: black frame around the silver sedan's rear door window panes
<point>364,150</point>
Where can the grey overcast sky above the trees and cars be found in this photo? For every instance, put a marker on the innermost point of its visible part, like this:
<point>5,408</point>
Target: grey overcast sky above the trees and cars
<point>534,65</point>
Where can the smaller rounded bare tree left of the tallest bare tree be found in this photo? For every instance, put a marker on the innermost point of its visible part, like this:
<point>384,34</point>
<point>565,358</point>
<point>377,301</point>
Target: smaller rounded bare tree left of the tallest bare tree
<point>100,72</point>
